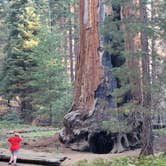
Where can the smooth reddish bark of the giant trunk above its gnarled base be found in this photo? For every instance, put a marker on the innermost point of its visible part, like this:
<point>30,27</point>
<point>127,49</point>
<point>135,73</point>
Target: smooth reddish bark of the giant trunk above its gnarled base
<point>89,71</point>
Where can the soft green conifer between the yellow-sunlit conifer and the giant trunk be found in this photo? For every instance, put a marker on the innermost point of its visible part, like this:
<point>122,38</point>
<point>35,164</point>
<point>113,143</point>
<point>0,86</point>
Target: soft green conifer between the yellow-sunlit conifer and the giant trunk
<point>54,89</point>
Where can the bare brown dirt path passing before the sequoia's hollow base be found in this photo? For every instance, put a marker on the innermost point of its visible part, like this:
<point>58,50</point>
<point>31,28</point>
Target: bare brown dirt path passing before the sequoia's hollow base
<point>73,156</point>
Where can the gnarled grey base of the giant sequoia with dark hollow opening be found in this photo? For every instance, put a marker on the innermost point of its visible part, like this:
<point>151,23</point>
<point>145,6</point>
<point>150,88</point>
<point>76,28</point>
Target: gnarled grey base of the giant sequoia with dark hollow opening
<point>83,132</point>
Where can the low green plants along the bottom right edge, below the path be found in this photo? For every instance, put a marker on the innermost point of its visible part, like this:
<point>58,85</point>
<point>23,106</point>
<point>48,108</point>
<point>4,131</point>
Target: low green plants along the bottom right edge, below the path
<point>126,161</point>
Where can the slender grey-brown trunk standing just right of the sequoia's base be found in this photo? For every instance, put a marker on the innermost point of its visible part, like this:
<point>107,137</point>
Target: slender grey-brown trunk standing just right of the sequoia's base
<point>147,137</point>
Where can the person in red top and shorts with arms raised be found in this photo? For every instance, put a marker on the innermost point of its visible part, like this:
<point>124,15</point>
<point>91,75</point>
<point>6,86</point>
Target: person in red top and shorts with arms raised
<point>14,141</point>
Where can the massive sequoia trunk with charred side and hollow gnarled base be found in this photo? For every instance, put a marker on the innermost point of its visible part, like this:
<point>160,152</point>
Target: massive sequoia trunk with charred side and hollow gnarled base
<point>94,84</point>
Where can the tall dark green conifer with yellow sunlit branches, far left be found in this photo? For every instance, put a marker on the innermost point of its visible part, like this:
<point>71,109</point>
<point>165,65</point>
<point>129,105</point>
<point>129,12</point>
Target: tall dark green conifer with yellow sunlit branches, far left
<point>23,25</point>
